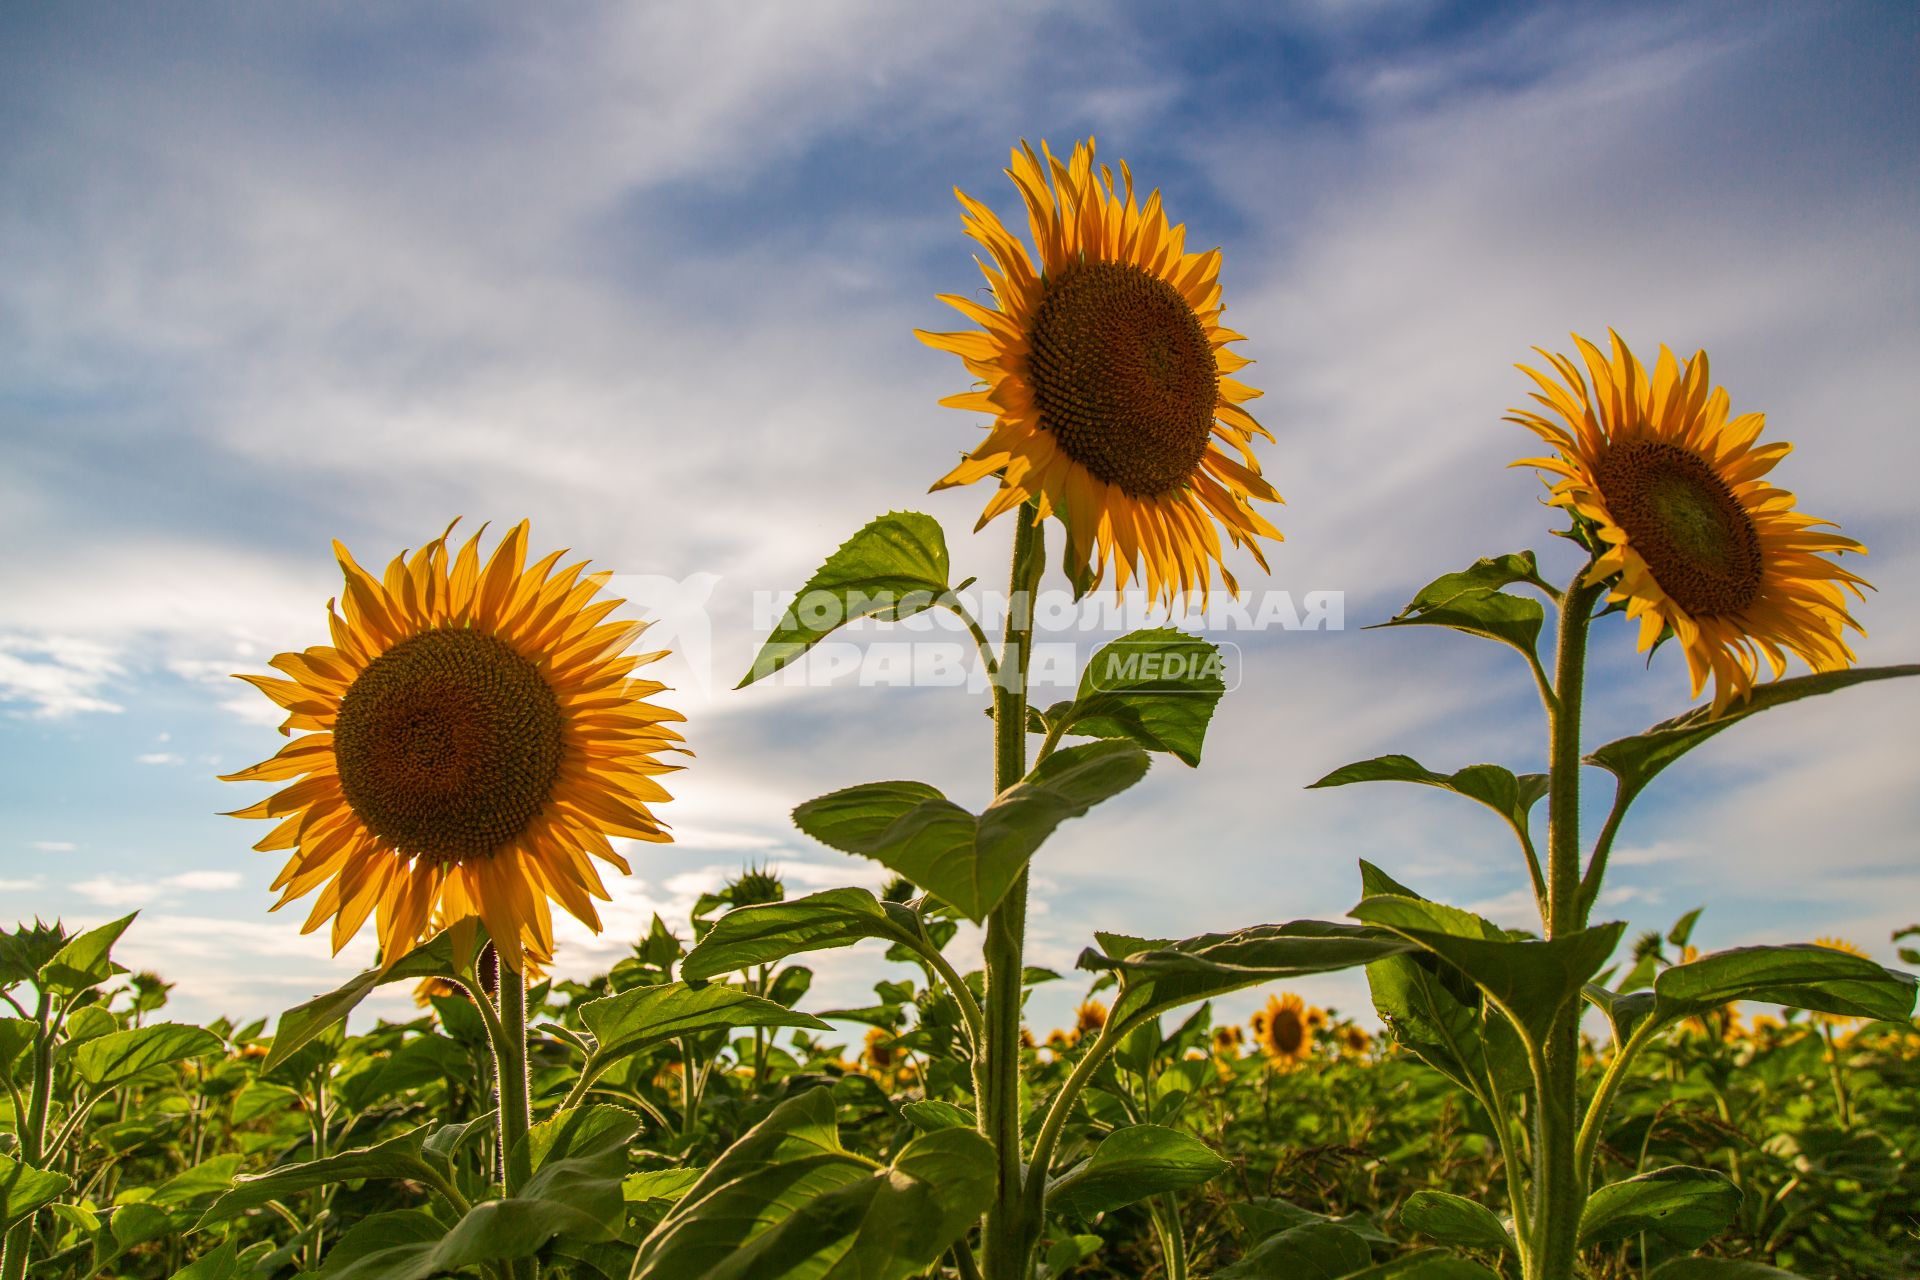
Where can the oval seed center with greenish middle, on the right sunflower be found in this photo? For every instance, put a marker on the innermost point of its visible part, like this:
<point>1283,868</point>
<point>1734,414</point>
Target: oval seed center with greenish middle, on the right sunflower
<point>1685,521</point>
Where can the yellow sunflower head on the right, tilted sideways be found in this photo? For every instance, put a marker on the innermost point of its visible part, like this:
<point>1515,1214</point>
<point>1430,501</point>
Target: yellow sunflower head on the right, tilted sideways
<point>1696,544</point>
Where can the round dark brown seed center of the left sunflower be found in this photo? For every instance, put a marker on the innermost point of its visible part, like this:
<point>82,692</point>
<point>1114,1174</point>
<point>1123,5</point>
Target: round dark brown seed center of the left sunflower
<point>448,746</point>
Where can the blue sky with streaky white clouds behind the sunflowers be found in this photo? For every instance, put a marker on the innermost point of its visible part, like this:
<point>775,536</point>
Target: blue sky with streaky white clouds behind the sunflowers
<point>648,275</point>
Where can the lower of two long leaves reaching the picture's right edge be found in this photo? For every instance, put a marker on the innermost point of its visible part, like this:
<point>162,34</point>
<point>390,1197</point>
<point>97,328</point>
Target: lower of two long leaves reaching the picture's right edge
<point>1800,976</point>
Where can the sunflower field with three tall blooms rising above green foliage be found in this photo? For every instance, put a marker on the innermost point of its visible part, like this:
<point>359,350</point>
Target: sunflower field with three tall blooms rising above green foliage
<point>479,744</point>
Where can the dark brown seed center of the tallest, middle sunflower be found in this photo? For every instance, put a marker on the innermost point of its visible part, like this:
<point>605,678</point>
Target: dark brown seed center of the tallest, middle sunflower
<point>1124,377</point>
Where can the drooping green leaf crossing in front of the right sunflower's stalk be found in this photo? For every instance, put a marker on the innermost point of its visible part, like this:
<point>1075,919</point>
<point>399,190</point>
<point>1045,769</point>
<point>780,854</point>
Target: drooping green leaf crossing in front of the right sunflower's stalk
<point>1529,980</point>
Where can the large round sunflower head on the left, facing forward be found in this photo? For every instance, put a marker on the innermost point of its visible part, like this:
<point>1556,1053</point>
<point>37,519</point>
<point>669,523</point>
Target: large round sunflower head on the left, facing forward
<point>469,740</point>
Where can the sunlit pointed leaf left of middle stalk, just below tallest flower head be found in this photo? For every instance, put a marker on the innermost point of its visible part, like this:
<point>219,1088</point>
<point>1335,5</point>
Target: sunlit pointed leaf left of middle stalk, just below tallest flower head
<point>892,569</point>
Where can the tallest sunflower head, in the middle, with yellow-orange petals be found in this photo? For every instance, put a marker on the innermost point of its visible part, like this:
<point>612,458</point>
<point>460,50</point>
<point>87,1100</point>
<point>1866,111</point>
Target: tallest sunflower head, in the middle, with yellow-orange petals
<point>1109,379</point>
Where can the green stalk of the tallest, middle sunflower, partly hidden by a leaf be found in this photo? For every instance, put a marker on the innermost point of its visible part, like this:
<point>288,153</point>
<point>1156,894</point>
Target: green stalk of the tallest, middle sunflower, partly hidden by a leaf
<point>1011,1235</point>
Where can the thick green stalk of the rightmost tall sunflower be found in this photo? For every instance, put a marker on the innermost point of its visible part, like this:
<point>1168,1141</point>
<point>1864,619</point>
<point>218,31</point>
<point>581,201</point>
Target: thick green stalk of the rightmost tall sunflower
<point>1560,1189</point>
